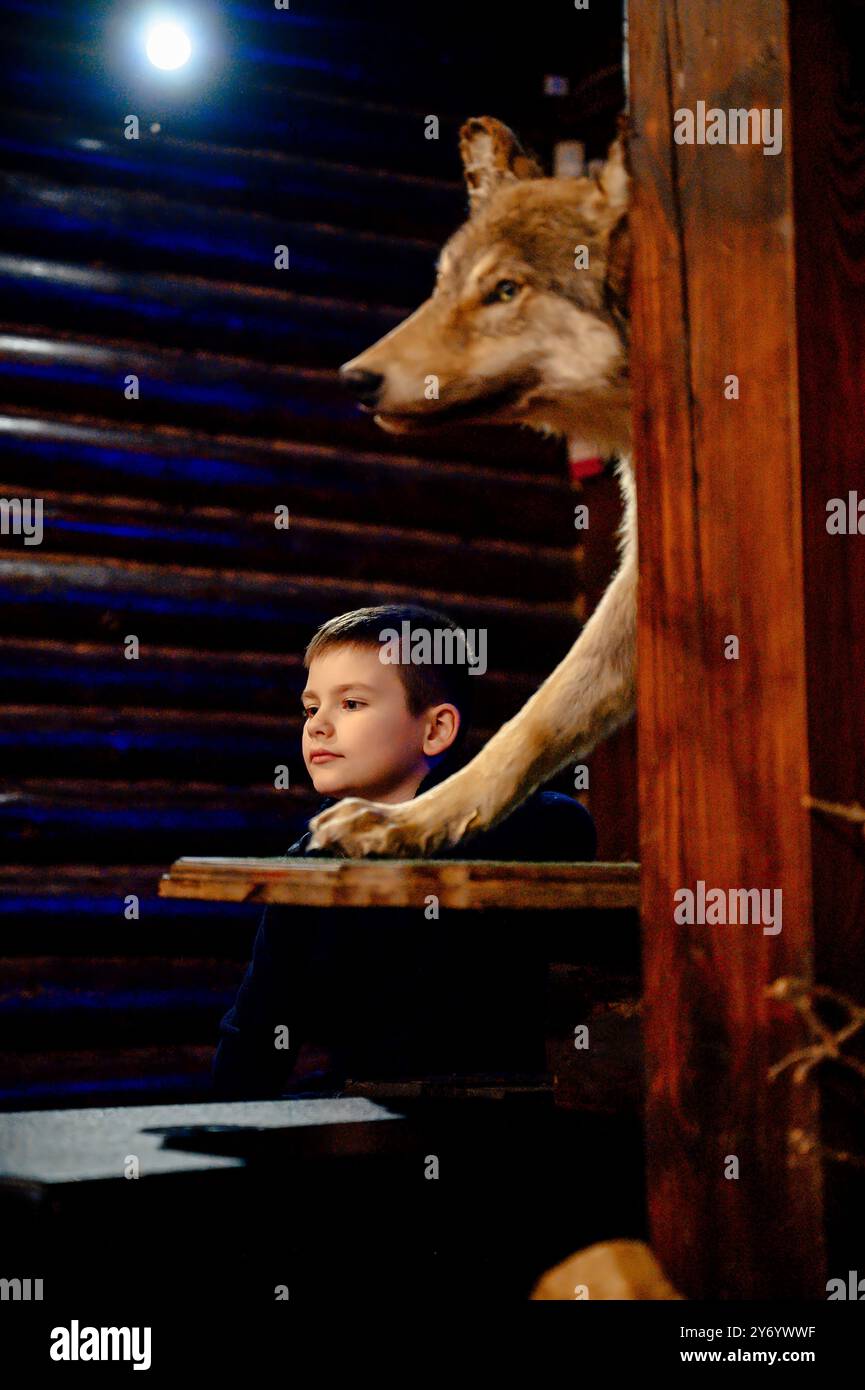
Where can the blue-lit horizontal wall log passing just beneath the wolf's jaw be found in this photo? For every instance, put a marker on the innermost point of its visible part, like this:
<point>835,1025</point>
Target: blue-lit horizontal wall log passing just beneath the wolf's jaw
<point>97,457</point>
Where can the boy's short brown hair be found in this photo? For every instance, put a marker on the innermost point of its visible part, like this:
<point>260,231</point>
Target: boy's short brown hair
<point>425,685</point>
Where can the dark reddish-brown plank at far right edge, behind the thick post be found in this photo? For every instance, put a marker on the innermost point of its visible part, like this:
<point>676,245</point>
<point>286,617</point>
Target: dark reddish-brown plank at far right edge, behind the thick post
<point>828,154</point>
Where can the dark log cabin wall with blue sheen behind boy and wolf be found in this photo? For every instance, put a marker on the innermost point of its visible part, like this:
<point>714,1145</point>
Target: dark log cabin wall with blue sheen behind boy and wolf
<point>155,259</point>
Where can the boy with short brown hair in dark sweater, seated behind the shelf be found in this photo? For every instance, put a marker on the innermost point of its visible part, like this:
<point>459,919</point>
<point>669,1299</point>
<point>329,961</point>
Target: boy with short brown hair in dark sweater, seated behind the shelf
<point>401,995</point>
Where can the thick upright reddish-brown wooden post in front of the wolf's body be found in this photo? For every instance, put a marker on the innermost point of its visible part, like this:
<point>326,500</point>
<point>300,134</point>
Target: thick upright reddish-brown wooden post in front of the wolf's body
<point>724,750</point>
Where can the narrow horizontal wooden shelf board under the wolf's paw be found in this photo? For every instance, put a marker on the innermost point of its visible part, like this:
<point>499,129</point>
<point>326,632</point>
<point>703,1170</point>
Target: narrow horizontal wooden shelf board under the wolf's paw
<point>405,883</point>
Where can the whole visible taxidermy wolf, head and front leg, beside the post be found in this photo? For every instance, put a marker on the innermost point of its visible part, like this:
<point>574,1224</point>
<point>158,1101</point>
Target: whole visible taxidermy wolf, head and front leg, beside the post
<point>517,336</point>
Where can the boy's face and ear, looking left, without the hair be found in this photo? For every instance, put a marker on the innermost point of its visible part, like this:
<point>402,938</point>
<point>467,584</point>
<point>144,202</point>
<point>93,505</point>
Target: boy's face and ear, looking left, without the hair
<point>357,711</point>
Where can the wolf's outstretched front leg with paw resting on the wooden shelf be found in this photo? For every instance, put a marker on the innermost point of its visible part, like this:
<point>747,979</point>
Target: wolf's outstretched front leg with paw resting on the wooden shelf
<point>589,694</point>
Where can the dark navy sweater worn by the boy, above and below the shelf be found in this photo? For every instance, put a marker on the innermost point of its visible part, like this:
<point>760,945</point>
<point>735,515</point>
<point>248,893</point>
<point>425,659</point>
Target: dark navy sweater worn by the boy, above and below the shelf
<point>391,993</point>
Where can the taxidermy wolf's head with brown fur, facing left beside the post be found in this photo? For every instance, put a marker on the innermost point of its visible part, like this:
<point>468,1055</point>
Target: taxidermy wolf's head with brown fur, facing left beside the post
<point>522,327</point>
